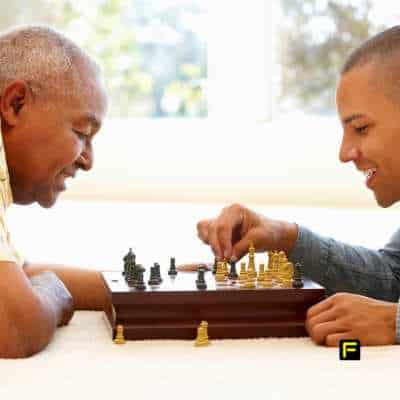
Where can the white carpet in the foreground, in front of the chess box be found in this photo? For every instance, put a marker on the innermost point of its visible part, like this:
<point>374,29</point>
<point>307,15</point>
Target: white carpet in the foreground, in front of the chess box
<point>83,363</point>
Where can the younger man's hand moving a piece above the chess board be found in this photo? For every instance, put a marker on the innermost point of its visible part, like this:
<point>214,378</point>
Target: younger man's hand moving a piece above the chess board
<point>231,233</point>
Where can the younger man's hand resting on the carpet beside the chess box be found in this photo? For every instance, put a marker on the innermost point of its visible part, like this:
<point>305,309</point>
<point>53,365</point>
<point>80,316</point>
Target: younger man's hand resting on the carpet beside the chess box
<point>351,316</point>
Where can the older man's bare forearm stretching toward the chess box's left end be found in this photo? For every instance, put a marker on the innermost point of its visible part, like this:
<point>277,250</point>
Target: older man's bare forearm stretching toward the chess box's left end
<point>86,286</point>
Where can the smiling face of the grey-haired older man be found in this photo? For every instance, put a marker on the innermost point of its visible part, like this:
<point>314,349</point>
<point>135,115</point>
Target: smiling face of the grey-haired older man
<point>54,142</point>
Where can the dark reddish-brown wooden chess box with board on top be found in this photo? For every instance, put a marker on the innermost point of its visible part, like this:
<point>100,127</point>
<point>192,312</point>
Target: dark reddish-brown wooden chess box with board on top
<point>175,308</point>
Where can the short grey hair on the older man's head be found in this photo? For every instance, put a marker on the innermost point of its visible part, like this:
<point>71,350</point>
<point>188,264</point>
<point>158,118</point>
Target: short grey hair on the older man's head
<point>42,57</point>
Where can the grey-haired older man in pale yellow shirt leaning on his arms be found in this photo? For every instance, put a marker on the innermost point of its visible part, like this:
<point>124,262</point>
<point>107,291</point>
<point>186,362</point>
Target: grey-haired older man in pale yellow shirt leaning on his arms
<point>52,103</point>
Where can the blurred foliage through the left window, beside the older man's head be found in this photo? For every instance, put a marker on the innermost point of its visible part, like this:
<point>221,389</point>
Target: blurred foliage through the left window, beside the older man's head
<point>145,50</point>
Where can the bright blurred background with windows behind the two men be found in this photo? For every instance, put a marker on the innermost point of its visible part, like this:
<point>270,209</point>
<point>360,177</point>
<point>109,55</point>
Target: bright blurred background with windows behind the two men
<point>211,102</point>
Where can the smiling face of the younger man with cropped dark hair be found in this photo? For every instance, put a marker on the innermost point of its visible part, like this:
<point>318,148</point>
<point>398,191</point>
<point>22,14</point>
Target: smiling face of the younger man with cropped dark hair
<point>371,132</point>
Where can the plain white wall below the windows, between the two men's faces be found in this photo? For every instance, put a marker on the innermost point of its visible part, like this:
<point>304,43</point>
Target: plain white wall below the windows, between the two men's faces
<point>292,161</point>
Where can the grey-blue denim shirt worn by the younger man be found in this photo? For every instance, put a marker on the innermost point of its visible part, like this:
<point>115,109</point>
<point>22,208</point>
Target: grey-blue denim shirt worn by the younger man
<point>340,267</point>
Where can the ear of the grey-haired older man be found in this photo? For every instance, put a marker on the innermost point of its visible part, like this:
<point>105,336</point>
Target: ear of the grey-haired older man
<point>14,98</point>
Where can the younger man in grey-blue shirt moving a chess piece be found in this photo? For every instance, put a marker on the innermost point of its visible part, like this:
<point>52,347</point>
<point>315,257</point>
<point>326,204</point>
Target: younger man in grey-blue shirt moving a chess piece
<point>366,282</point>
